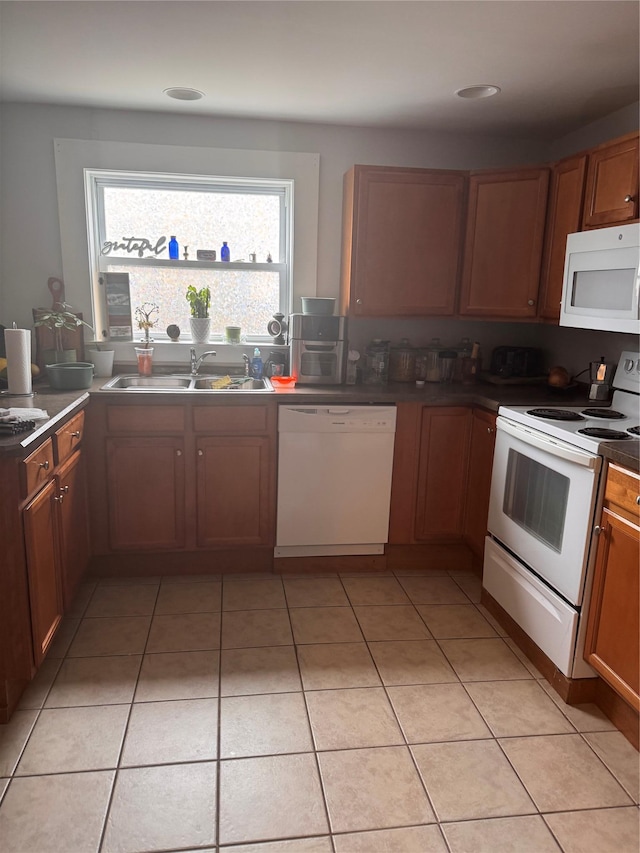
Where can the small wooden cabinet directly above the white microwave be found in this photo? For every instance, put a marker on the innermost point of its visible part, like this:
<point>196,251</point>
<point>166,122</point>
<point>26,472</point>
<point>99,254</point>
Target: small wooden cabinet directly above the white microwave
<point>611,196</point>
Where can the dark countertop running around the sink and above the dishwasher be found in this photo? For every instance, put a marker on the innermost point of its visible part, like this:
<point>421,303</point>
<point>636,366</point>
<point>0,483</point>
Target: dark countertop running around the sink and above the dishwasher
<point>60,404</point>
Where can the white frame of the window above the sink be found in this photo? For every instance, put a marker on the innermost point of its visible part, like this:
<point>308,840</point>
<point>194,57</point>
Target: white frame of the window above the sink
<point>95,180</point>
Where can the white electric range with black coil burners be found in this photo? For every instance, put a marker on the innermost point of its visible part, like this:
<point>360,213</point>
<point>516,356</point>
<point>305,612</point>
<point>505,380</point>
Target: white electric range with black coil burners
<point>546,493</point>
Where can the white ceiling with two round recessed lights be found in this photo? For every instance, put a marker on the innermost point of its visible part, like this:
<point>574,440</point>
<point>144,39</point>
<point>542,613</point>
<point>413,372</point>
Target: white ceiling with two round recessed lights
<point>560,63</point>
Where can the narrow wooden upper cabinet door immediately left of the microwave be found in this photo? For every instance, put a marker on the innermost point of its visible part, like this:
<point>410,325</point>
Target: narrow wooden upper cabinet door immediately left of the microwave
<point>564,215</point>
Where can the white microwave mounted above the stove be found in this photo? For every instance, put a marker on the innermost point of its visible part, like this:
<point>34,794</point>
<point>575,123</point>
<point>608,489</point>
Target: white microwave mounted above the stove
<point>601,284</point>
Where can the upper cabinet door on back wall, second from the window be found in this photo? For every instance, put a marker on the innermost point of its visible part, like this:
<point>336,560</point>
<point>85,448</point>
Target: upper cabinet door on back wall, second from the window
<point>503,246</point>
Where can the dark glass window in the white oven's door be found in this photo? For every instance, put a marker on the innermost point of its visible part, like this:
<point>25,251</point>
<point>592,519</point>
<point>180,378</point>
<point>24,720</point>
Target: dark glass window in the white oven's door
<point>536,498</point>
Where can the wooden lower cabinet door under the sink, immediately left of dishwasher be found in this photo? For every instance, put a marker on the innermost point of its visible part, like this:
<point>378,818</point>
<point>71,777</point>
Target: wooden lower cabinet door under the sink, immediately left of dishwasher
<point>235,495</point>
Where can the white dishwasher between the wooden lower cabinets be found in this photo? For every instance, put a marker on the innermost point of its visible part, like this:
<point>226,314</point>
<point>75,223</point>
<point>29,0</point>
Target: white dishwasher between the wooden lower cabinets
<point>334,479</point>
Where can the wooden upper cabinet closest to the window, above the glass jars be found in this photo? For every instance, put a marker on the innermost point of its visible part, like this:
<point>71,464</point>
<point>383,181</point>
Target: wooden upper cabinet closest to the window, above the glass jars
<point>402,233</point>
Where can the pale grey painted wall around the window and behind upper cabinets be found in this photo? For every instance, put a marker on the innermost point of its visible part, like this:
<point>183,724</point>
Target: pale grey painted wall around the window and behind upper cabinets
<point>29,229</point>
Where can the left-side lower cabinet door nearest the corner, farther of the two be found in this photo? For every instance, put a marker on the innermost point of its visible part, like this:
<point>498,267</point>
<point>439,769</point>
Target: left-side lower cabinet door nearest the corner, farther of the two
<point>73,526</point>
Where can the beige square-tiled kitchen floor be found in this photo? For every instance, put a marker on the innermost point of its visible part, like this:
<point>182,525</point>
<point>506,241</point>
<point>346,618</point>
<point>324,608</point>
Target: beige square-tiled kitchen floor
<point>304,715</point>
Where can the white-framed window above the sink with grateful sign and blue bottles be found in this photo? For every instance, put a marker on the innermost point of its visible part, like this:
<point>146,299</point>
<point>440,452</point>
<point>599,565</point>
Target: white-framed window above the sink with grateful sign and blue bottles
<point>131,219</point>
